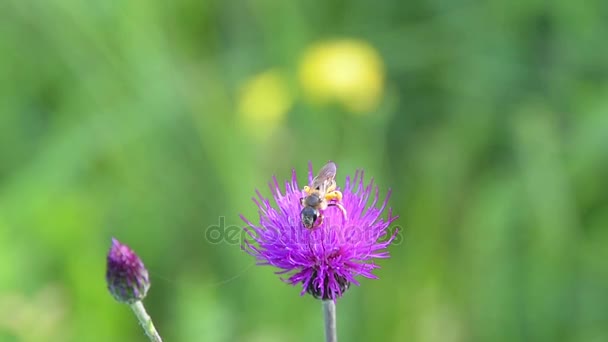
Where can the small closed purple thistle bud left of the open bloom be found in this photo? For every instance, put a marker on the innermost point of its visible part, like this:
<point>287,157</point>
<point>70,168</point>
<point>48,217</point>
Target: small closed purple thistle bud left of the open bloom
<point>126,274</point>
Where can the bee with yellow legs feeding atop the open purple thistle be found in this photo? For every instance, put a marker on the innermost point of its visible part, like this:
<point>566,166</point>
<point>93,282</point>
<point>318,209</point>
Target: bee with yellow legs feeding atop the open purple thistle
<point>319,192</point>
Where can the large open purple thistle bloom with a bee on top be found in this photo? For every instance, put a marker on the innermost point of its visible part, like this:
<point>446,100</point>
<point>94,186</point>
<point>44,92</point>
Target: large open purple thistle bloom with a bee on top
<point>326,259</point>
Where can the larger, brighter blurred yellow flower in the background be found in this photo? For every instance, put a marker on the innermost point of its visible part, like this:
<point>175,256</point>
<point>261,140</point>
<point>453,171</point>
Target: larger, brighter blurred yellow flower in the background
<point>347,71</point>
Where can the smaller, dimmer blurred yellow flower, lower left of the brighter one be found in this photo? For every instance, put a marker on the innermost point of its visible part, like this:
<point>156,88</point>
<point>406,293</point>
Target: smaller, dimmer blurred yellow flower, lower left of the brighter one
<point>264,102</point>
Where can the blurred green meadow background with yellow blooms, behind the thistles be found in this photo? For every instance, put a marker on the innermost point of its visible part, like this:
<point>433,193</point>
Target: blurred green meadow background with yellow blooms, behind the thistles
<point>149,121</point>
